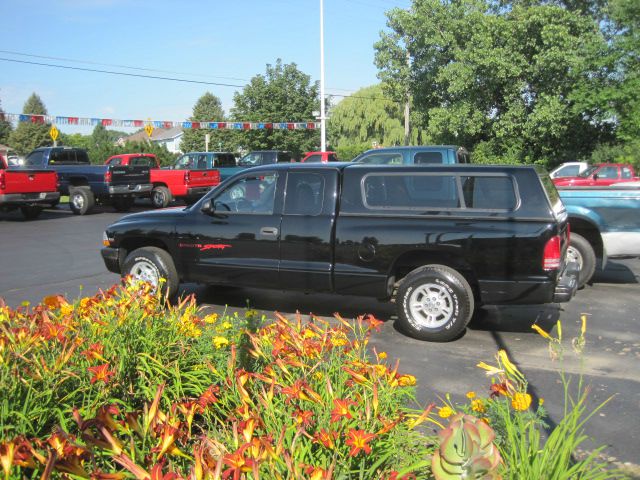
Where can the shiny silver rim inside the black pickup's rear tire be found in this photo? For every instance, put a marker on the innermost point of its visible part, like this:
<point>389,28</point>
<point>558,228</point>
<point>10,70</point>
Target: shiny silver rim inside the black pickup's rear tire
<point>431,306</point>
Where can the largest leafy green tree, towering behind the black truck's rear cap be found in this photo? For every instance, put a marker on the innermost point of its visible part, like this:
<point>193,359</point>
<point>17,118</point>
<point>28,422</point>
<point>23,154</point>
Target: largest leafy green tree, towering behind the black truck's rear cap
<point>509,83</point>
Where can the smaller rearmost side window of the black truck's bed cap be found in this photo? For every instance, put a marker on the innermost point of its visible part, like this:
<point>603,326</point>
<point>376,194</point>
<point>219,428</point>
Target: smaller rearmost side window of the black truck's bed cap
<point>489,192</point>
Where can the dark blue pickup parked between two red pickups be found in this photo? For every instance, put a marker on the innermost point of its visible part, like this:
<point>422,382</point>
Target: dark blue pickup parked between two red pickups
<point>87,184</point>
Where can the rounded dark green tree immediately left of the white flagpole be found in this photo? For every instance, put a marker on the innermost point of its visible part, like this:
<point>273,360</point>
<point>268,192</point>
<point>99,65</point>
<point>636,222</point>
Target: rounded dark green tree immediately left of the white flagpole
<point>282,94</point>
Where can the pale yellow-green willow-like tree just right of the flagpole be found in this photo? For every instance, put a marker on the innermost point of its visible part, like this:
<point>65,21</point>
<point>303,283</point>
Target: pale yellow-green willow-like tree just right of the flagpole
<point>366,118</point>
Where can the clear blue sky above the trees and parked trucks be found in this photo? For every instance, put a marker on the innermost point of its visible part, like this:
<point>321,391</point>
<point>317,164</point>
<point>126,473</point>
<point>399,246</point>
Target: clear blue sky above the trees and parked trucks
<point>225,42</point>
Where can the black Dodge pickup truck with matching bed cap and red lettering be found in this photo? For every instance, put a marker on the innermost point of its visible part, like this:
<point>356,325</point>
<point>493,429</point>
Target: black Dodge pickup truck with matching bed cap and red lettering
<point>438,240</point>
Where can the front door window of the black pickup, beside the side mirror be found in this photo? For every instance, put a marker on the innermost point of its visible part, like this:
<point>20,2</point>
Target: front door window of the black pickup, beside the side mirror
<point>249,194</point>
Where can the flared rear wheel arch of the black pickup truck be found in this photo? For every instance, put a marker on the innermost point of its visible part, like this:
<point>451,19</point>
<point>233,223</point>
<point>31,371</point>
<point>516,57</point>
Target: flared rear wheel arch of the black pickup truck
<point>409,261</point>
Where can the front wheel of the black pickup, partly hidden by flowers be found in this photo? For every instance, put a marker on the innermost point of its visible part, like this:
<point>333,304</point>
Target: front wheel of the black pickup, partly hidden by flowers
<point>150,264</point>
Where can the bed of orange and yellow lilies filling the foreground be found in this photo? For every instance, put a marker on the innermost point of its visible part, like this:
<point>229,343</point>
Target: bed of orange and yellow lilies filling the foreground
<point>121,385</point>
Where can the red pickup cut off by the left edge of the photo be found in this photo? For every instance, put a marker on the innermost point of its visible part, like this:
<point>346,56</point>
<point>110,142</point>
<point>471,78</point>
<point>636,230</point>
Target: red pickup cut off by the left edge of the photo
<point>29,190</point>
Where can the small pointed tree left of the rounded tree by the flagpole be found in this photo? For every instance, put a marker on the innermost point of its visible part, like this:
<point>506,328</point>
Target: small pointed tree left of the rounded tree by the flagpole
<point>207,109</point>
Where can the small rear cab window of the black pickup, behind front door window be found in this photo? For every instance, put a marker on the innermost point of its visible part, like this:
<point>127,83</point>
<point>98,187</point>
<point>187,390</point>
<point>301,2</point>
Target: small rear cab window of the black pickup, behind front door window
<point>304,194</point>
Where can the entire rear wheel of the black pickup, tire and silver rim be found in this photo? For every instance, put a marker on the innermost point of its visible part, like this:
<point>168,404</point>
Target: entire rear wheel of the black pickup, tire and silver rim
<point>442,302</point>
